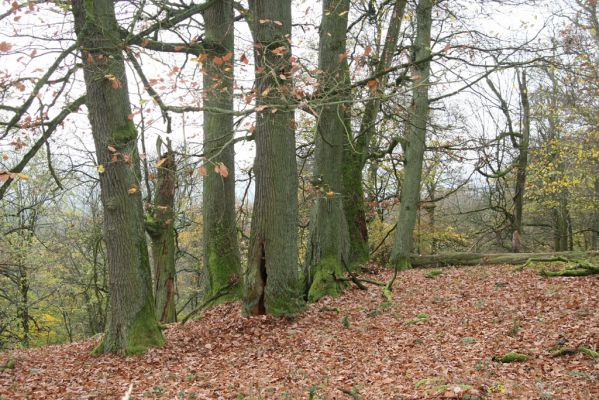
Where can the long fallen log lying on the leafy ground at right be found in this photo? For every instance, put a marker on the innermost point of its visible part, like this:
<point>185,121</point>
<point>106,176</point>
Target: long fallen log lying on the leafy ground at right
<point>446,259</point>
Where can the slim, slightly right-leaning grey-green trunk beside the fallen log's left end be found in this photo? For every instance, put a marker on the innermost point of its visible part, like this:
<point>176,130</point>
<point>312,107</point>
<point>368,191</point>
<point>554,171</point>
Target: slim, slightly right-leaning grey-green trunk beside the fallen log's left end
<point>416,139</point>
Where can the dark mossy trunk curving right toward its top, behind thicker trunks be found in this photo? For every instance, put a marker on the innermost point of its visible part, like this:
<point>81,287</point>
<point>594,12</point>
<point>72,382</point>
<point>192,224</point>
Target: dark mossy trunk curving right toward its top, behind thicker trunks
<point>356,150</point>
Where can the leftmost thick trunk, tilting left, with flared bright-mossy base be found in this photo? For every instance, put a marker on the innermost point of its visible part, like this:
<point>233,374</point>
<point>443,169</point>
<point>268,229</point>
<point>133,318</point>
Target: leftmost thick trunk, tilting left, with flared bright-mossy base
<point>132,324</point>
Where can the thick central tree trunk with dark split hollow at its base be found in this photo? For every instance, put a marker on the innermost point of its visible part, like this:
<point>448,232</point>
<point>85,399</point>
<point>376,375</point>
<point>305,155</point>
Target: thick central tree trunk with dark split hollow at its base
<point>272,279</point>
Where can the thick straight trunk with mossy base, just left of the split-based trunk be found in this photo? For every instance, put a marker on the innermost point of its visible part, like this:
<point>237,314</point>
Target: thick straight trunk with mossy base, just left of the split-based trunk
<point>221,249</point>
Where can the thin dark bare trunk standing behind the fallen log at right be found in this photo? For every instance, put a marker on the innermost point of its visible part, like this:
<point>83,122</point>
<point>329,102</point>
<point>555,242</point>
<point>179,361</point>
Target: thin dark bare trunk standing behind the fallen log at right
<point>522,165</point>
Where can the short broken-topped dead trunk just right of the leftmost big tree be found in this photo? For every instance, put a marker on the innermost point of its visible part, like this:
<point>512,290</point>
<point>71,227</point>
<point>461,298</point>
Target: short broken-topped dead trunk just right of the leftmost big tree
<point>160,227</point>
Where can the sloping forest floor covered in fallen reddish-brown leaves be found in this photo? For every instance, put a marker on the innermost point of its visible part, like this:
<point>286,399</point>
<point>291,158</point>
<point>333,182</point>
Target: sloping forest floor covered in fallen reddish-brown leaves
<point>438,339</point>
